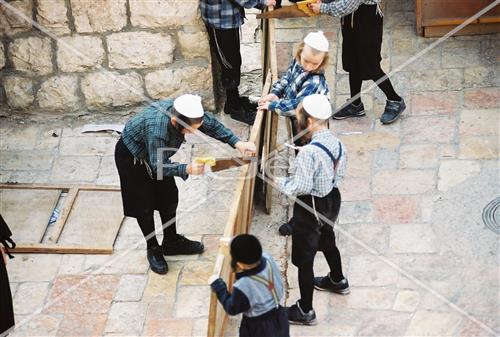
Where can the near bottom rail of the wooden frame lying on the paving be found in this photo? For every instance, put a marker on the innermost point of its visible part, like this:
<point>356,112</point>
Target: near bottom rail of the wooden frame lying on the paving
<point>45,248</point>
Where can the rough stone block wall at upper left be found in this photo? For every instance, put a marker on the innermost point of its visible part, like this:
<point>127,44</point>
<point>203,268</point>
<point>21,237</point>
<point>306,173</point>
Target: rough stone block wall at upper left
<point>101,55</point>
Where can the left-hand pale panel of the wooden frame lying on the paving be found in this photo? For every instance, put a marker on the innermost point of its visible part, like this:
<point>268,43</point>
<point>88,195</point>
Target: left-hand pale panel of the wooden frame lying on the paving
<point>27,212</point>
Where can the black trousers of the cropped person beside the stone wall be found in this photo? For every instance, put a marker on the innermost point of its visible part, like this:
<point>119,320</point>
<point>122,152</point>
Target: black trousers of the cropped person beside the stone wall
<point>225,44</point>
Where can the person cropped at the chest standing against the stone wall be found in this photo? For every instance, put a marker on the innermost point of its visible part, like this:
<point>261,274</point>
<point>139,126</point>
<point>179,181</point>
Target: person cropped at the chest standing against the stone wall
<point>223,19</point>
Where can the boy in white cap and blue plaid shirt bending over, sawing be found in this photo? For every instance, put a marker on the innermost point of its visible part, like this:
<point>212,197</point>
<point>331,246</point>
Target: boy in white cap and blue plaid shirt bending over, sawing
<point>147,178</point>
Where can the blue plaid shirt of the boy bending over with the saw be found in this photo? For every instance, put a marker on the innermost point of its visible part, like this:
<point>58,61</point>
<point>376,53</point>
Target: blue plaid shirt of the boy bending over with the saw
<point>149,131</point>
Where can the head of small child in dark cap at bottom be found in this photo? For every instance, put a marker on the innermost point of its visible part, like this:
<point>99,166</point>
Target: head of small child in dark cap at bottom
<point>246,252</point>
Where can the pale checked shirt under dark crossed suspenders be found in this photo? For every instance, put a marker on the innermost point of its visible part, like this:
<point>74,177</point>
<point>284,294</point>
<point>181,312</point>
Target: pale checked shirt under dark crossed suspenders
<point>314,171</point>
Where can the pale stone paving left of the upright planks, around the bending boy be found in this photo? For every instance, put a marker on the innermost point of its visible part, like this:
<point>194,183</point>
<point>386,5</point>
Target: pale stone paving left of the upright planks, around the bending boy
<point>115,295</point>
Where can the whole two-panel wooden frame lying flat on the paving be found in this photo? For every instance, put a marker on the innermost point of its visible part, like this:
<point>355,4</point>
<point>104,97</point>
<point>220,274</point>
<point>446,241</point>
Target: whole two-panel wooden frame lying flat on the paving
<point>89,219</point>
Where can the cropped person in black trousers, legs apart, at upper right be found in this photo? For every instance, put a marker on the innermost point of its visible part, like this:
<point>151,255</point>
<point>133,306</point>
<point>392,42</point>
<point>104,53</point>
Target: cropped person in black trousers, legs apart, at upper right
<point>362,28</point>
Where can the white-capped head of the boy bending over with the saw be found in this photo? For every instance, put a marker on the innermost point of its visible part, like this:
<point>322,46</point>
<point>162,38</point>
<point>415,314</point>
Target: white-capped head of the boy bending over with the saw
<point>187,113</point>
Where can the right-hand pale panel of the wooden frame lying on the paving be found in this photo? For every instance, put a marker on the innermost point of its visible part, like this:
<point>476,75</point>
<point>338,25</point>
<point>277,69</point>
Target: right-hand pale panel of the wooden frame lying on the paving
<point>94,220</point>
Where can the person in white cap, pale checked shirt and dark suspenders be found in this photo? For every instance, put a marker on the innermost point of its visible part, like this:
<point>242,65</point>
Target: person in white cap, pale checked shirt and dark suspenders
<point>319,168</point>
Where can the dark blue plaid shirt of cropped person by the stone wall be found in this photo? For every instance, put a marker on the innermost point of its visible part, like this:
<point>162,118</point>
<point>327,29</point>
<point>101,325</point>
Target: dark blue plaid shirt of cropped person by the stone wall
<point>225,14</point>
